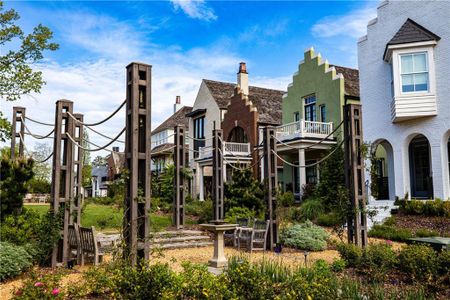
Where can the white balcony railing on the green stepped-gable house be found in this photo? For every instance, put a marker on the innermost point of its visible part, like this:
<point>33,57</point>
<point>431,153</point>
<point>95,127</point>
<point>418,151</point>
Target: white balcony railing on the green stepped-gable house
<point>304,128</point>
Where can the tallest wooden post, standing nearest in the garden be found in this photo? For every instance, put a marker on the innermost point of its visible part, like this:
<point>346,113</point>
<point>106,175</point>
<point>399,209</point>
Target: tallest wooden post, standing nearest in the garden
<point>137,161</point>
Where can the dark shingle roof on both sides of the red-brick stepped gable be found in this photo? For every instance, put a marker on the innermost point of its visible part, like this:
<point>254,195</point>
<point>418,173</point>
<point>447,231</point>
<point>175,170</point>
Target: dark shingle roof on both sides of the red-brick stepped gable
<point>267,101</point>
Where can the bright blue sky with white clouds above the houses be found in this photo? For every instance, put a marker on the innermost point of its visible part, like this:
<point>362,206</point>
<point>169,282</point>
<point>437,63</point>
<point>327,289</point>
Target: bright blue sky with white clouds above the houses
<point>185,41</point>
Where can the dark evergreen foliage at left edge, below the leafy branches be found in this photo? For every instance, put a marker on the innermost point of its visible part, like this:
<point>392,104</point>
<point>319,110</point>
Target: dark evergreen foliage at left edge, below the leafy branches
<point>14,179</point>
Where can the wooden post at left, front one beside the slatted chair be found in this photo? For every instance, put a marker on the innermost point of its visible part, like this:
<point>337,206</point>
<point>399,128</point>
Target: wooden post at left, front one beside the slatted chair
<point>62,184</point>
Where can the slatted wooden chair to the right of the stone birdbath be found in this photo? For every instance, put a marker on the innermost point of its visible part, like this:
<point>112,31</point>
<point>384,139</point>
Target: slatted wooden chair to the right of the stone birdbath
<point>254,238</point>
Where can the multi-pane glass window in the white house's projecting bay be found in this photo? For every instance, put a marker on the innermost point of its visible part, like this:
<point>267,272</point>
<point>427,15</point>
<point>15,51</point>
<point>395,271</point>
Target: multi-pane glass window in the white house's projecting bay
<point>414,72</point>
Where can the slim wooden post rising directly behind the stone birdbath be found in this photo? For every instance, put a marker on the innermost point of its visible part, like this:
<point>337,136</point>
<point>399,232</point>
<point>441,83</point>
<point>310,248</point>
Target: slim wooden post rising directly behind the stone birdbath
<point>217,160</point>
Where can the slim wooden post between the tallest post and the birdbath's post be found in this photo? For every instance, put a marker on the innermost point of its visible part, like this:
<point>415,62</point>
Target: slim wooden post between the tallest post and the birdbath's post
<point>179,160</point>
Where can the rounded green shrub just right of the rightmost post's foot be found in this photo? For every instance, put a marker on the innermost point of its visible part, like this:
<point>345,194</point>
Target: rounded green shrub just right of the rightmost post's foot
<point>377,260</point>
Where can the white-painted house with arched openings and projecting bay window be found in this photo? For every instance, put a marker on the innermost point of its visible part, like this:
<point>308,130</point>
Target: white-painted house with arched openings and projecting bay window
<point>405,91</point>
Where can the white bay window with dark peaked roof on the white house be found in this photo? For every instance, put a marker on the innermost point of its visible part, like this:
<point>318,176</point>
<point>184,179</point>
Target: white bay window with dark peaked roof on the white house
<point>411,56</point>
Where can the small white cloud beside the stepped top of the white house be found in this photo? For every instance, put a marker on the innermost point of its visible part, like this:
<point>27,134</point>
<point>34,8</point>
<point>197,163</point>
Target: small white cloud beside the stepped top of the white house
<point>352,24</point>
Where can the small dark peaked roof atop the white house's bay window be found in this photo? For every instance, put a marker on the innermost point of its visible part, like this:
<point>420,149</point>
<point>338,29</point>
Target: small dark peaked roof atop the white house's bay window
<point>411,32</point>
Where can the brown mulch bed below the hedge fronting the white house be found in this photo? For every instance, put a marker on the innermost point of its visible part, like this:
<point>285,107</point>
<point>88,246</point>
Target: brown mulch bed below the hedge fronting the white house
<point>416,222</point>
